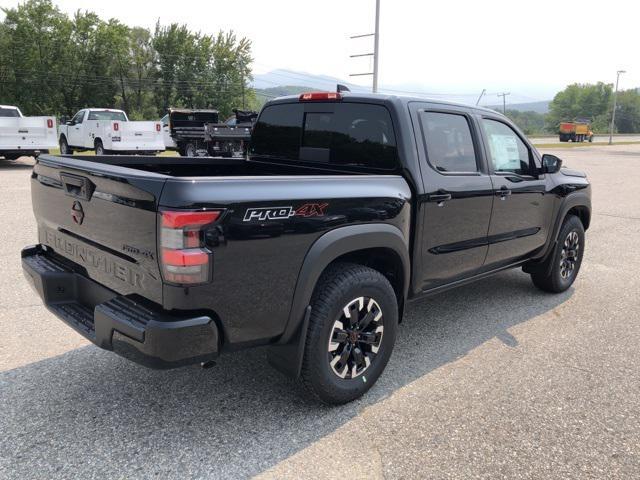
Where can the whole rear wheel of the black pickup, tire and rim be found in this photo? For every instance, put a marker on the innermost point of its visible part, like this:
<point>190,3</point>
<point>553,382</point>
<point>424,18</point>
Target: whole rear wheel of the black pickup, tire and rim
<point>351,334</point>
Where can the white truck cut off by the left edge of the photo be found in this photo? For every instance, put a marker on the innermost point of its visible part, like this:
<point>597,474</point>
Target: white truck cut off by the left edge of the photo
<point>20,135</point>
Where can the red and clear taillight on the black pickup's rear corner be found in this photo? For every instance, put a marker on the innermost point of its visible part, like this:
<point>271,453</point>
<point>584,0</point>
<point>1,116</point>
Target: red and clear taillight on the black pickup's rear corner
<point>184,258</point>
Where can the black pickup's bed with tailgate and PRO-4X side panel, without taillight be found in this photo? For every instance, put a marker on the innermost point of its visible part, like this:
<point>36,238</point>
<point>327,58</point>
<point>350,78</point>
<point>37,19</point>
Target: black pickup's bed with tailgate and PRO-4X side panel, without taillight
<point>270,212</point>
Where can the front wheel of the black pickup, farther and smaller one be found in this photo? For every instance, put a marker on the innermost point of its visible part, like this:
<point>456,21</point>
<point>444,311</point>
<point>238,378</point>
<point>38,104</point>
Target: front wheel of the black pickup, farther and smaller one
<point>561,269</point>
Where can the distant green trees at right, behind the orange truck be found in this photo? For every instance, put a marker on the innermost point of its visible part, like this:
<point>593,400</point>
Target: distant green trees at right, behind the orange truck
<point>592,102</point>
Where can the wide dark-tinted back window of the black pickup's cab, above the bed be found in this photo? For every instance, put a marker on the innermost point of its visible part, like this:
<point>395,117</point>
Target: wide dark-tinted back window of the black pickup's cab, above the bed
<point>346,134</point>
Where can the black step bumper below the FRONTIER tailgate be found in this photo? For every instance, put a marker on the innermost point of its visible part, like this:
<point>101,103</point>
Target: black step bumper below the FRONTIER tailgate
<point>150,337</point>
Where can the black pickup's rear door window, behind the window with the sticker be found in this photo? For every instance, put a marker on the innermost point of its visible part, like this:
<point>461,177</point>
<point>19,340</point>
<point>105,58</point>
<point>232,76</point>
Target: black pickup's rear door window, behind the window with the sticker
<point>448,142</point>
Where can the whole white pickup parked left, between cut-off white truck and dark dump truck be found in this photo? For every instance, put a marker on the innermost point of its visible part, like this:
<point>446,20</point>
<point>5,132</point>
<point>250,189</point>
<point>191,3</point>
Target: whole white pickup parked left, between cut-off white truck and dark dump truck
<point>108,132</point>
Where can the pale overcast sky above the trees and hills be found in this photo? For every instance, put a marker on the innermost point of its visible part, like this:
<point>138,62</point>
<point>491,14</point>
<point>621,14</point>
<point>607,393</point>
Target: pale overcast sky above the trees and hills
<point>531,49</point>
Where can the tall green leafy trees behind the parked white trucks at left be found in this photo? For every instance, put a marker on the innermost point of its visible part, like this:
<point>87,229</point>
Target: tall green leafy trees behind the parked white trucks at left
<point>52,63</point>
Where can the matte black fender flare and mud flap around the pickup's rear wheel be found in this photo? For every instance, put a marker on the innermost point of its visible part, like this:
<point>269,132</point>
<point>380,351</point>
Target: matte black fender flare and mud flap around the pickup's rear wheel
<point>286,355</point>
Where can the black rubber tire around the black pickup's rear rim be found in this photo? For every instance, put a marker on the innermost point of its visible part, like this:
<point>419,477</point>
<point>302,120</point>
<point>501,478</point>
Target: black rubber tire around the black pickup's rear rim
<point>339,286</point>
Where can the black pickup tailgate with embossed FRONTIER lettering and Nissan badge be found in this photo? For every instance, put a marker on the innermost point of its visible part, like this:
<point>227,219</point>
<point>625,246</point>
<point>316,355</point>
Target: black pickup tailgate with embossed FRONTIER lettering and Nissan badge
<point>102,218</point>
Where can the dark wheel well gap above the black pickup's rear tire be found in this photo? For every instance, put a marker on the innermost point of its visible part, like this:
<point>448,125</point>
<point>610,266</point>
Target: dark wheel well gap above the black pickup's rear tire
<point>384,260</point>
